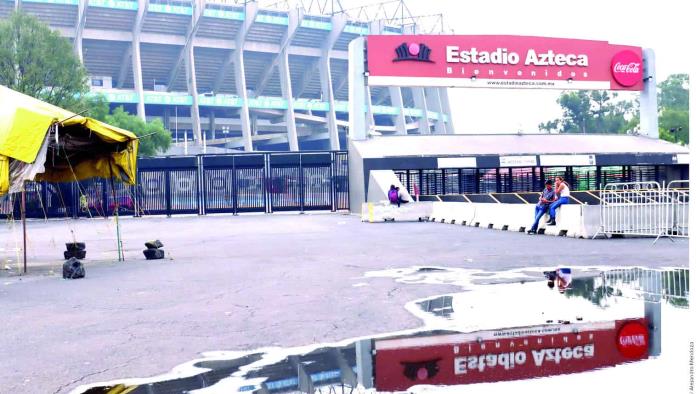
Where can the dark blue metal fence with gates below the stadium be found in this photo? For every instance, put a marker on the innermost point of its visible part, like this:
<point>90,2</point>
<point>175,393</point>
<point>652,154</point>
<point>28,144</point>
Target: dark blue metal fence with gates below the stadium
<point>254,182</point>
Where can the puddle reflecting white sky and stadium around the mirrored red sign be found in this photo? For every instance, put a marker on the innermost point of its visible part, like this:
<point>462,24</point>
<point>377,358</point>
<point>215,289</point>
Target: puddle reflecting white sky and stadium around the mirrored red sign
<point>613,295</point>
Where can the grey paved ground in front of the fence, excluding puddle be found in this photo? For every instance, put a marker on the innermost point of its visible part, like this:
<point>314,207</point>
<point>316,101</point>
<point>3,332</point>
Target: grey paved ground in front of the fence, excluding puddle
<point>234,283</point>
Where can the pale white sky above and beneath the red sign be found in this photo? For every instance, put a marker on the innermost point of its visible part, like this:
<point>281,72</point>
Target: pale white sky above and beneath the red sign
<point>663,25</point>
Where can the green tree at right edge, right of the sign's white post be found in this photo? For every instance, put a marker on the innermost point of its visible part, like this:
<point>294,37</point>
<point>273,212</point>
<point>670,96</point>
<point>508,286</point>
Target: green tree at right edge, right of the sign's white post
<point>673,100</point>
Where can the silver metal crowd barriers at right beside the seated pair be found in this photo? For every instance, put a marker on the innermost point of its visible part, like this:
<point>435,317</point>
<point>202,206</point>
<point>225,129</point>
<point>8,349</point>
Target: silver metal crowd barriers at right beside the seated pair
<point>644,209</point>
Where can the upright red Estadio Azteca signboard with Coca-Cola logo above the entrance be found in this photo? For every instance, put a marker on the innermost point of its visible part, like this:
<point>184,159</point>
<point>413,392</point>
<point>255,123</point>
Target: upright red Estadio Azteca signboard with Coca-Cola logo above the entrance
<point>502,62</point>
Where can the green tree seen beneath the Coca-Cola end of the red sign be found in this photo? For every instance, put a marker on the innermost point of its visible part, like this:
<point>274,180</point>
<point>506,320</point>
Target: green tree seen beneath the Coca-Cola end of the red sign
<point>593,112</point>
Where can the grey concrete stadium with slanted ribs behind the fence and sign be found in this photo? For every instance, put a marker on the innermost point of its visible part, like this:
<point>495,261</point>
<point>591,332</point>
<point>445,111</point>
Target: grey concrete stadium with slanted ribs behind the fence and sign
<point>235,74</point>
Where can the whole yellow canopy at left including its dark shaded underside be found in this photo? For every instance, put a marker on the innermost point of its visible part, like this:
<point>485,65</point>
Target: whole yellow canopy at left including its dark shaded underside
<point>39,141</point>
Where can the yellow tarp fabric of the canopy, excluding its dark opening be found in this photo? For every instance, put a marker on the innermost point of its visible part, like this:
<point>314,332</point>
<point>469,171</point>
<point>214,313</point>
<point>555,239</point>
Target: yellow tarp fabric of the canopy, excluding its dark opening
<point>24,122</point>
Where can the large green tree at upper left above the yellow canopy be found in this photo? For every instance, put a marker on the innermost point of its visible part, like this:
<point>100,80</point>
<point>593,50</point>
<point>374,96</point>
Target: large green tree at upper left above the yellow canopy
<point>37,61</point>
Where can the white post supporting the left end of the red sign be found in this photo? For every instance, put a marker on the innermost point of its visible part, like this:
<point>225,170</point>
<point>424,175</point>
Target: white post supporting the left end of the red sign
<point>357,92</point>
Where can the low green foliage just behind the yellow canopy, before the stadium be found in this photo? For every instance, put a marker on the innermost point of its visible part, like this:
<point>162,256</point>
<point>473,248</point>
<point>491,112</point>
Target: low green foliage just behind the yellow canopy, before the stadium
<point>155,138</point>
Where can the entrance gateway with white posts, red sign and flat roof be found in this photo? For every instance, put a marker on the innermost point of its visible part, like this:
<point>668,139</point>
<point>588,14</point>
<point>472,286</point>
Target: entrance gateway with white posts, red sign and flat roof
<point>512,62</point>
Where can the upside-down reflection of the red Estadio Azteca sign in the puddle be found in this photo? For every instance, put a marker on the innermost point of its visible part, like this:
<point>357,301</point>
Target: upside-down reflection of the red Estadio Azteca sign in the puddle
<point>507,354</point>
